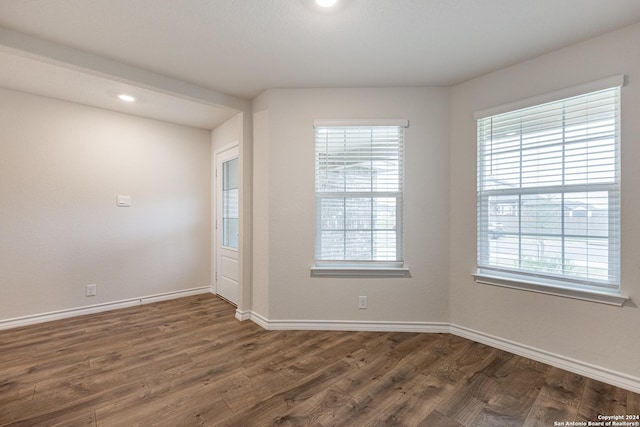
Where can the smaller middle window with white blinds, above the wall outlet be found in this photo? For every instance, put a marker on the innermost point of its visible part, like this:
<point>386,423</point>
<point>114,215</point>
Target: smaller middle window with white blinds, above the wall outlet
<point>359,194</point>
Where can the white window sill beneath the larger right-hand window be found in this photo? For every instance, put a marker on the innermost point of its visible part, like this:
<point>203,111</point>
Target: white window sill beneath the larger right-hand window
<point>531,286</point>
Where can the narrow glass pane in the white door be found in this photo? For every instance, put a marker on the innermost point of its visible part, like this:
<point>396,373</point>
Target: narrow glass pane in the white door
<point>230,204</point>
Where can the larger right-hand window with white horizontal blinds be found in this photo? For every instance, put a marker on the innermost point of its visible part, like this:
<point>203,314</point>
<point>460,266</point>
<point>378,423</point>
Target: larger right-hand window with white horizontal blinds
<point>549,193</point>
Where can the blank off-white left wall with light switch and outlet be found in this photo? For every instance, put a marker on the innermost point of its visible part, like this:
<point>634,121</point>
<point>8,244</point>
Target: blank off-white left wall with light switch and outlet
<point>61,167</point>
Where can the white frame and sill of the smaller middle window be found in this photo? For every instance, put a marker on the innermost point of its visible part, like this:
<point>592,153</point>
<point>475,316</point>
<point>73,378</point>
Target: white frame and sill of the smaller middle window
<point>350,268</point>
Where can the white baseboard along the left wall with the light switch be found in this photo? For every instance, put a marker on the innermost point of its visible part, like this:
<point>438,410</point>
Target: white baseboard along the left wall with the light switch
<point>17,322</point>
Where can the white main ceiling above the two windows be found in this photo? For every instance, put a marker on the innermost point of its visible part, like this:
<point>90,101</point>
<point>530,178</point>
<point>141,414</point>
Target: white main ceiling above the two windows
<point>242,47</point>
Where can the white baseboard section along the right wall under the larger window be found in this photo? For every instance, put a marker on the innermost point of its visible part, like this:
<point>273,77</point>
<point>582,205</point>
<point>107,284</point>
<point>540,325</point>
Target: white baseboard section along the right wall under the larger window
<point>605,375</point>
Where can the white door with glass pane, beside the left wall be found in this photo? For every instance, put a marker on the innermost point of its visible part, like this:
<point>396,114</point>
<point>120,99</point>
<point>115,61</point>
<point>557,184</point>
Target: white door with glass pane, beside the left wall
<point>227,224</point>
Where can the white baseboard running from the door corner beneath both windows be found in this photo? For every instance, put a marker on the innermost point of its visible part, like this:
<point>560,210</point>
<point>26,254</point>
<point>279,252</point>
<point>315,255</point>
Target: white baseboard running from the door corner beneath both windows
<point>605,375</point>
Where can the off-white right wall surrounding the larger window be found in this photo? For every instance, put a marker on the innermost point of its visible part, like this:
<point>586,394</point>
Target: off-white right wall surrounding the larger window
<point>593,333</point>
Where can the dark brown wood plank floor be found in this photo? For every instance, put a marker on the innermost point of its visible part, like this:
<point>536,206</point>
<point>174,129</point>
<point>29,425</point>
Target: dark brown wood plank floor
<point>189,362</point>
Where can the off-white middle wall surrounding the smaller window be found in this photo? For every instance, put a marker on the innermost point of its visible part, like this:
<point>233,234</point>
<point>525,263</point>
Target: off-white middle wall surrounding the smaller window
<point>284,207</point>
